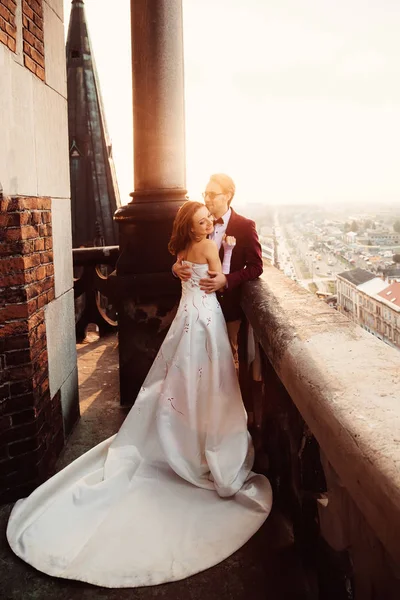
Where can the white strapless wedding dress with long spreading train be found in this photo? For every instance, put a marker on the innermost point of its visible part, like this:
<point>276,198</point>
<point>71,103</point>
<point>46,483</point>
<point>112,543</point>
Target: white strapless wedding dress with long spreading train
<point>172,493</point>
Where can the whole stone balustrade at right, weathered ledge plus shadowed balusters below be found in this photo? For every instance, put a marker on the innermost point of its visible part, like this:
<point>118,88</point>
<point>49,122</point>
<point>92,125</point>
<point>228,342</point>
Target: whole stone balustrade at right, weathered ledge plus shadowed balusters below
<point>323,398</point>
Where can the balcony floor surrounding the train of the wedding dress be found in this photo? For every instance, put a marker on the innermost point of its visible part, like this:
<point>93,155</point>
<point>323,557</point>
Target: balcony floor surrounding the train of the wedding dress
<point>266,568</point>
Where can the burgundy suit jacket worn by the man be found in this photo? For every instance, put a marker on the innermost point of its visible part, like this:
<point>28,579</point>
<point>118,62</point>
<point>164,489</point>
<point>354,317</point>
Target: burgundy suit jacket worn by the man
<point>246,264</point>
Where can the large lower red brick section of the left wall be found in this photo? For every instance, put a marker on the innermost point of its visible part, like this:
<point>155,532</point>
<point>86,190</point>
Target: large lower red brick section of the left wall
<point>31,425</point>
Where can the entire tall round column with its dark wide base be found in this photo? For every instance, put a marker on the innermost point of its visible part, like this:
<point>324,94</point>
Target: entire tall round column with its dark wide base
<point>146,290</point>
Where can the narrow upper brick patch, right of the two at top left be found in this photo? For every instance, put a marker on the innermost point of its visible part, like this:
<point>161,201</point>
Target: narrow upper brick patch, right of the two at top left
<point>33,36</point>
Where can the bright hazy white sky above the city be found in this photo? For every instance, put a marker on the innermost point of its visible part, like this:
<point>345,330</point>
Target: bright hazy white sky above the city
<point>299,101</point>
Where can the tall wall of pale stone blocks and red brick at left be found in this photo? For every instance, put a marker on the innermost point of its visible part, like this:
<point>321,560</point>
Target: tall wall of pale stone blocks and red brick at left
<point>38,371</point>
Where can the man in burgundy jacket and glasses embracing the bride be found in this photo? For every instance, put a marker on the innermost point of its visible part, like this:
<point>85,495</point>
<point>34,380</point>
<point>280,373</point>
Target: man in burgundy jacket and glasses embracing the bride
<point>246,261</point>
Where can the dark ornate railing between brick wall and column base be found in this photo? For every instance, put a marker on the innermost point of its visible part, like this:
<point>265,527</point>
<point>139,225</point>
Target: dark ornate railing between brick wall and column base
<point>93,289</point>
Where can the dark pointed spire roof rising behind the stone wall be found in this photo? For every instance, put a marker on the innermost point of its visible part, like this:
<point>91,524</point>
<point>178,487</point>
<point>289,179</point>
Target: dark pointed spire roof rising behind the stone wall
<point>94,189</point>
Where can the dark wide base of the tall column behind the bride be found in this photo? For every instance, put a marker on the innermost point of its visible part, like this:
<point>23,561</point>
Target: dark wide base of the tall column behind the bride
<point>147,293</point>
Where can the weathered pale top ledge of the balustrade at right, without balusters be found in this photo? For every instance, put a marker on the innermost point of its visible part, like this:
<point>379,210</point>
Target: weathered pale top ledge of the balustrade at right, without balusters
<point>346,385</point>
